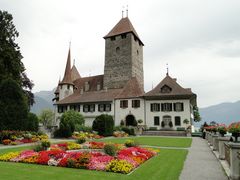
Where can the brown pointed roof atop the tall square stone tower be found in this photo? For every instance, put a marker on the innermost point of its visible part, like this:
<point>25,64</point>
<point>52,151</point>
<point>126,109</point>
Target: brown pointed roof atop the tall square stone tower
<point>123,26</point>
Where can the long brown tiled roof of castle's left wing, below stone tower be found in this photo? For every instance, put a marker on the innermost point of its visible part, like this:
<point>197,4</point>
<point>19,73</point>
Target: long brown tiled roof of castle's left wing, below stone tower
<point>131,89</point>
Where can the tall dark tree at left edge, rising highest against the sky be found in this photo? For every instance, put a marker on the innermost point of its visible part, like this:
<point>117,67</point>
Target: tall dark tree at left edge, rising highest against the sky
<point>11,65</point>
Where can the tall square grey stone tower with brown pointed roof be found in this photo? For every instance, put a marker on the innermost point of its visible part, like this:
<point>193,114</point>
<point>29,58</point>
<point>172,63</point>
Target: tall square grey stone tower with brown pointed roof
<point>123,55</point>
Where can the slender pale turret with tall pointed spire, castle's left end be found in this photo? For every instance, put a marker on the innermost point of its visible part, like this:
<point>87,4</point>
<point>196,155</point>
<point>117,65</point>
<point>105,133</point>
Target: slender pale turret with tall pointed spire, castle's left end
<point>66,85</point>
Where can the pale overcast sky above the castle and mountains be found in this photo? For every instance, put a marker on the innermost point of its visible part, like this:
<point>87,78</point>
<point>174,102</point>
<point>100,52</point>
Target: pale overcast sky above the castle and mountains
<point>198,39</point>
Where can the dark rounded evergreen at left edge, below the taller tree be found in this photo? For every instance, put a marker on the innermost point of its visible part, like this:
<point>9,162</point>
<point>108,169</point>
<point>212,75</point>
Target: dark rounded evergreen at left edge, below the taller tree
<point>13,106</point>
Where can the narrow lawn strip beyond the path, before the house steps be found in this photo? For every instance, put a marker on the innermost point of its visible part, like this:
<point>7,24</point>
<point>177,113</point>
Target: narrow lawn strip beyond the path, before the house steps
<point>155,141</point>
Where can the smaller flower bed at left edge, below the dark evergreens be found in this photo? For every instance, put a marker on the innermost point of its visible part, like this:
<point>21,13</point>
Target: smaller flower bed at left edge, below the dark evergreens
<point>20,137</point>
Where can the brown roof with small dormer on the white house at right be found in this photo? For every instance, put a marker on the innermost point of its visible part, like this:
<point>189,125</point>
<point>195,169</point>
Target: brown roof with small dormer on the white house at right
<point>168,87</point>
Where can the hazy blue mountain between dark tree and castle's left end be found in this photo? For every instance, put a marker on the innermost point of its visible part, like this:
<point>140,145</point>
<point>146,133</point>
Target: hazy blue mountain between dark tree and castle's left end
<point>43,100</point>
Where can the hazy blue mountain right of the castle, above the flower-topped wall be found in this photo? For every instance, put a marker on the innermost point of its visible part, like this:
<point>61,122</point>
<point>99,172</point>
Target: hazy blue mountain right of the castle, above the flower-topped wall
<point>221,113</point>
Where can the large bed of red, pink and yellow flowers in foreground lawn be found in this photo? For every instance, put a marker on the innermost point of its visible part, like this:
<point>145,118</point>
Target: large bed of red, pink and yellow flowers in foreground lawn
<point>126,159</point>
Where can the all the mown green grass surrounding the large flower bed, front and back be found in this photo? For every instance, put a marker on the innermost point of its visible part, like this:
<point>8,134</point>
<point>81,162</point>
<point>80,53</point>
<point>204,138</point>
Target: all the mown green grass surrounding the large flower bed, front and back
<point>166,166</point>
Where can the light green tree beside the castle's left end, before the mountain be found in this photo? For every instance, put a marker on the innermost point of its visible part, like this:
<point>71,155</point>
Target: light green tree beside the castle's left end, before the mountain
<point>46,117</point>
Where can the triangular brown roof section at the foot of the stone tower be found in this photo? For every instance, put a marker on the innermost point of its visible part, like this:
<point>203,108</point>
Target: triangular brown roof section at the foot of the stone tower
<point>131,89</point>
